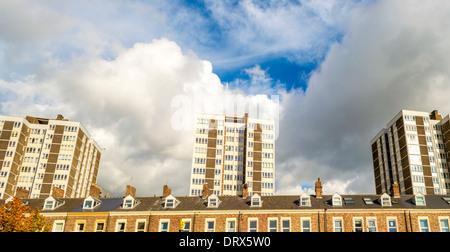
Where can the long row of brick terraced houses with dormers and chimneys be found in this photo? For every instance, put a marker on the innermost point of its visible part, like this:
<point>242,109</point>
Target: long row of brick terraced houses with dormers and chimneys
<point>275,213</point>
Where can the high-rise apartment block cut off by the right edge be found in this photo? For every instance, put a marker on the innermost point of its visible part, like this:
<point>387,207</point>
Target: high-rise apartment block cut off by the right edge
<point>413,151</point>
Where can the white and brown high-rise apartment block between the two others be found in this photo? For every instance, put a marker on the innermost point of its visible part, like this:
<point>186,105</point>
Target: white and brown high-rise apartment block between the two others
<point>233,155</point>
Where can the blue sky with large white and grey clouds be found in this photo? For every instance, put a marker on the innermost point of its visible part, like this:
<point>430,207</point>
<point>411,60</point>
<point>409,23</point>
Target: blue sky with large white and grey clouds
<point>135,72</point>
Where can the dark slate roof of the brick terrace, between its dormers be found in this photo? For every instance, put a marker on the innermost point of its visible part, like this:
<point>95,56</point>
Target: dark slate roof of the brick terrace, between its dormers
<point>277,202</point>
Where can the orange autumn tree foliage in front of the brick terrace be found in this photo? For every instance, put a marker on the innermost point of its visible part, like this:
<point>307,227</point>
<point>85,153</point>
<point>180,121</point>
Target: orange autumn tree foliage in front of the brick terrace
<point>17,217</point>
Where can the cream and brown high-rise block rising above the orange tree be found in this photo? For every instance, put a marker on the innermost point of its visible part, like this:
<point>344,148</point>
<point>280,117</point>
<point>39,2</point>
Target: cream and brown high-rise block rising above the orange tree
<point>41,155</point>
